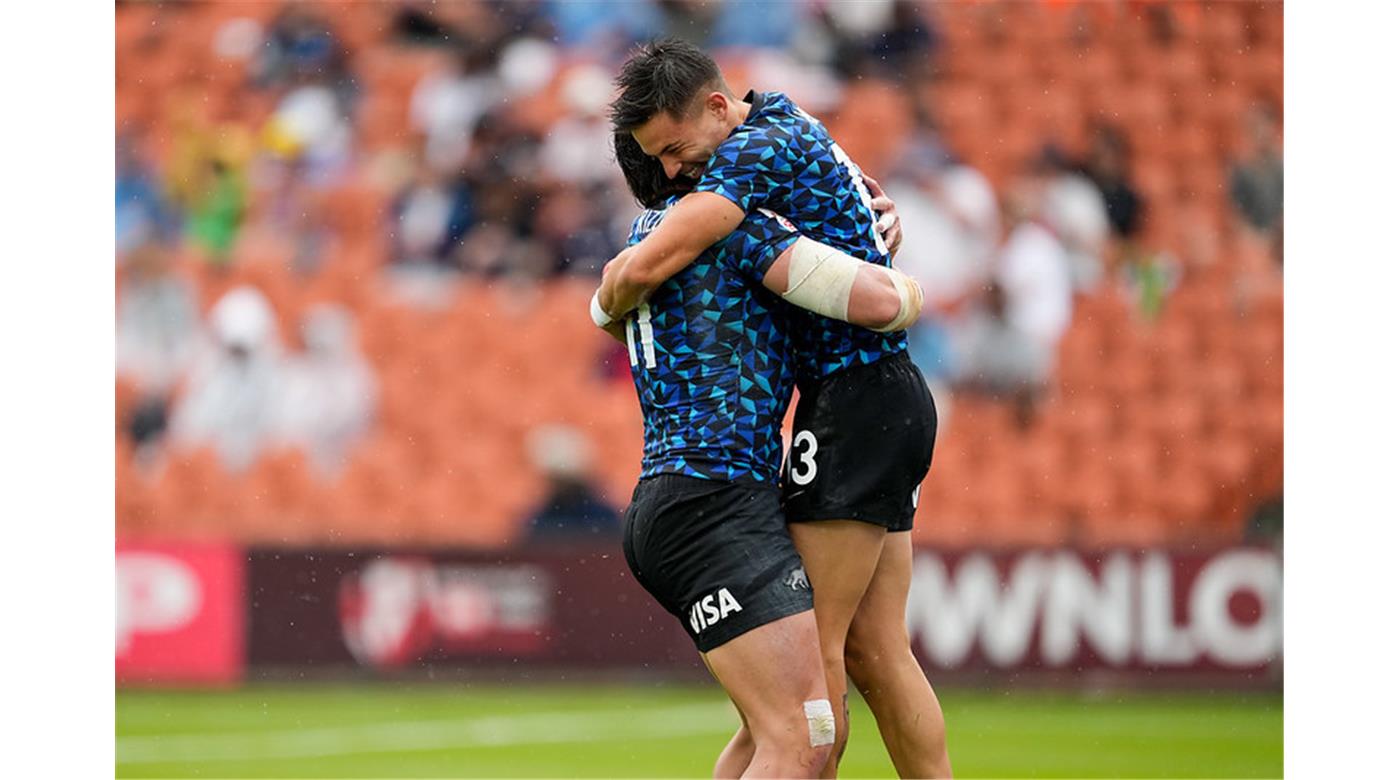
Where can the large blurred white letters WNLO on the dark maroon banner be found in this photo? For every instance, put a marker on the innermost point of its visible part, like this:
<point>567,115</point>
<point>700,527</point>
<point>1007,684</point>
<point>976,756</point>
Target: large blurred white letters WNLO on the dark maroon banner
<point>1126,613</point>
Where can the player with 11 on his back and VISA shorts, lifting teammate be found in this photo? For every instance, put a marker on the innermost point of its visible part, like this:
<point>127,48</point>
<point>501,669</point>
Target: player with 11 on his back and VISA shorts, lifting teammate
<point>705,533</point>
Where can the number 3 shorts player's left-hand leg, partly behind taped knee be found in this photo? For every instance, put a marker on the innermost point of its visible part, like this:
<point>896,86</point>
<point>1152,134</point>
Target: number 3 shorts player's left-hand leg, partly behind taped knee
<point>839,558</point>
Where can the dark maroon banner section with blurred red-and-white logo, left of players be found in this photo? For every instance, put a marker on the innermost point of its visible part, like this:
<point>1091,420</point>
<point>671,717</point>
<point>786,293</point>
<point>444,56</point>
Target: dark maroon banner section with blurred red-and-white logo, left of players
<point>576,607</point>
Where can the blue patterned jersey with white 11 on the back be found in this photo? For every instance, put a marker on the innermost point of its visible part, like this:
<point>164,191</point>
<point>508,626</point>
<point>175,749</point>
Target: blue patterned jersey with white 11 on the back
<point>712,361</point>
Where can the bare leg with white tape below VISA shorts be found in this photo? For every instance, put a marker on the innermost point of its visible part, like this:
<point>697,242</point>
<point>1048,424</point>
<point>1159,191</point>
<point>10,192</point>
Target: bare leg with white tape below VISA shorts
<point>775,676</point>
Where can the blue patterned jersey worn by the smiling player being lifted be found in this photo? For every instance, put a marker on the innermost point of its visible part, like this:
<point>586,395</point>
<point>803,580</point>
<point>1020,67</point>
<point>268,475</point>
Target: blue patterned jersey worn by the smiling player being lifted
<point>783,160</point>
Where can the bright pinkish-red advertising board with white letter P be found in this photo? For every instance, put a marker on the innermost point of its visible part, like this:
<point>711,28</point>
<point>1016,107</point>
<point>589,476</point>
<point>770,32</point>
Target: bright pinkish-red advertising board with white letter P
<point>180,614</point>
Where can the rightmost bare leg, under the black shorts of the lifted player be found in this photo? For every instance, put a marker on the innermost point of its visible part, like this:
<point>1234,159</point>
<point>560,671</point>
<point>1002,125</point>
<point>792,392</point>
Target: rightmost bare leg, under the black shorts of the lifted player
<point>884,670</point>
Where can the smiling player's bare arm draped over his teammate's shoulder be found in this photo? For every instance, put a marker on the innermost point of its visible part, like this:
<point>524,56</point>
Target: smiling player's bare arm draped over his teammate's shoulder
<point>695,223</point>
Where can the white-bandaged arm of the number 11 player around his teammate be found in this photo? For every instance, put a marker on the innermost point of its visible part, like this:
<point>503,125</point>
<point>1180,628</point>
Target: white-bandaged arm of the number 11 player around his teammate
<point>825,281</point>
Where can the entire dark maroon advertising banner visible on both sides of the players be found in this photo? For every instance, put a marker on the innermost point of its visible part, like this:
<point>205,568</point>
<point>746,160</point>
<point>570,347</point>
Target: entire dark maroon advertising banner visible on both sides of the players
<point>1151,615</point>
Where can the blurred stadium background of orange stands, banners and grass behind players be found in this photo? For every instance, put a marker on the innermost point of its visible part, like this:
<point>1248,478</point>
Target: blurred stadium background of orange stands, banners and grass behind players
<point>372,453</point>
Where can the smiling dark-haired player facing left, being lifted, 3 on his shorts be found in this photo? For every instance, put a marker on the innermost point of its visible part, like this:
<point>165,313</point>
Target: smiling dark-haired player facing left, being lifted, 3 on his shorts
<point>866,421</point>
